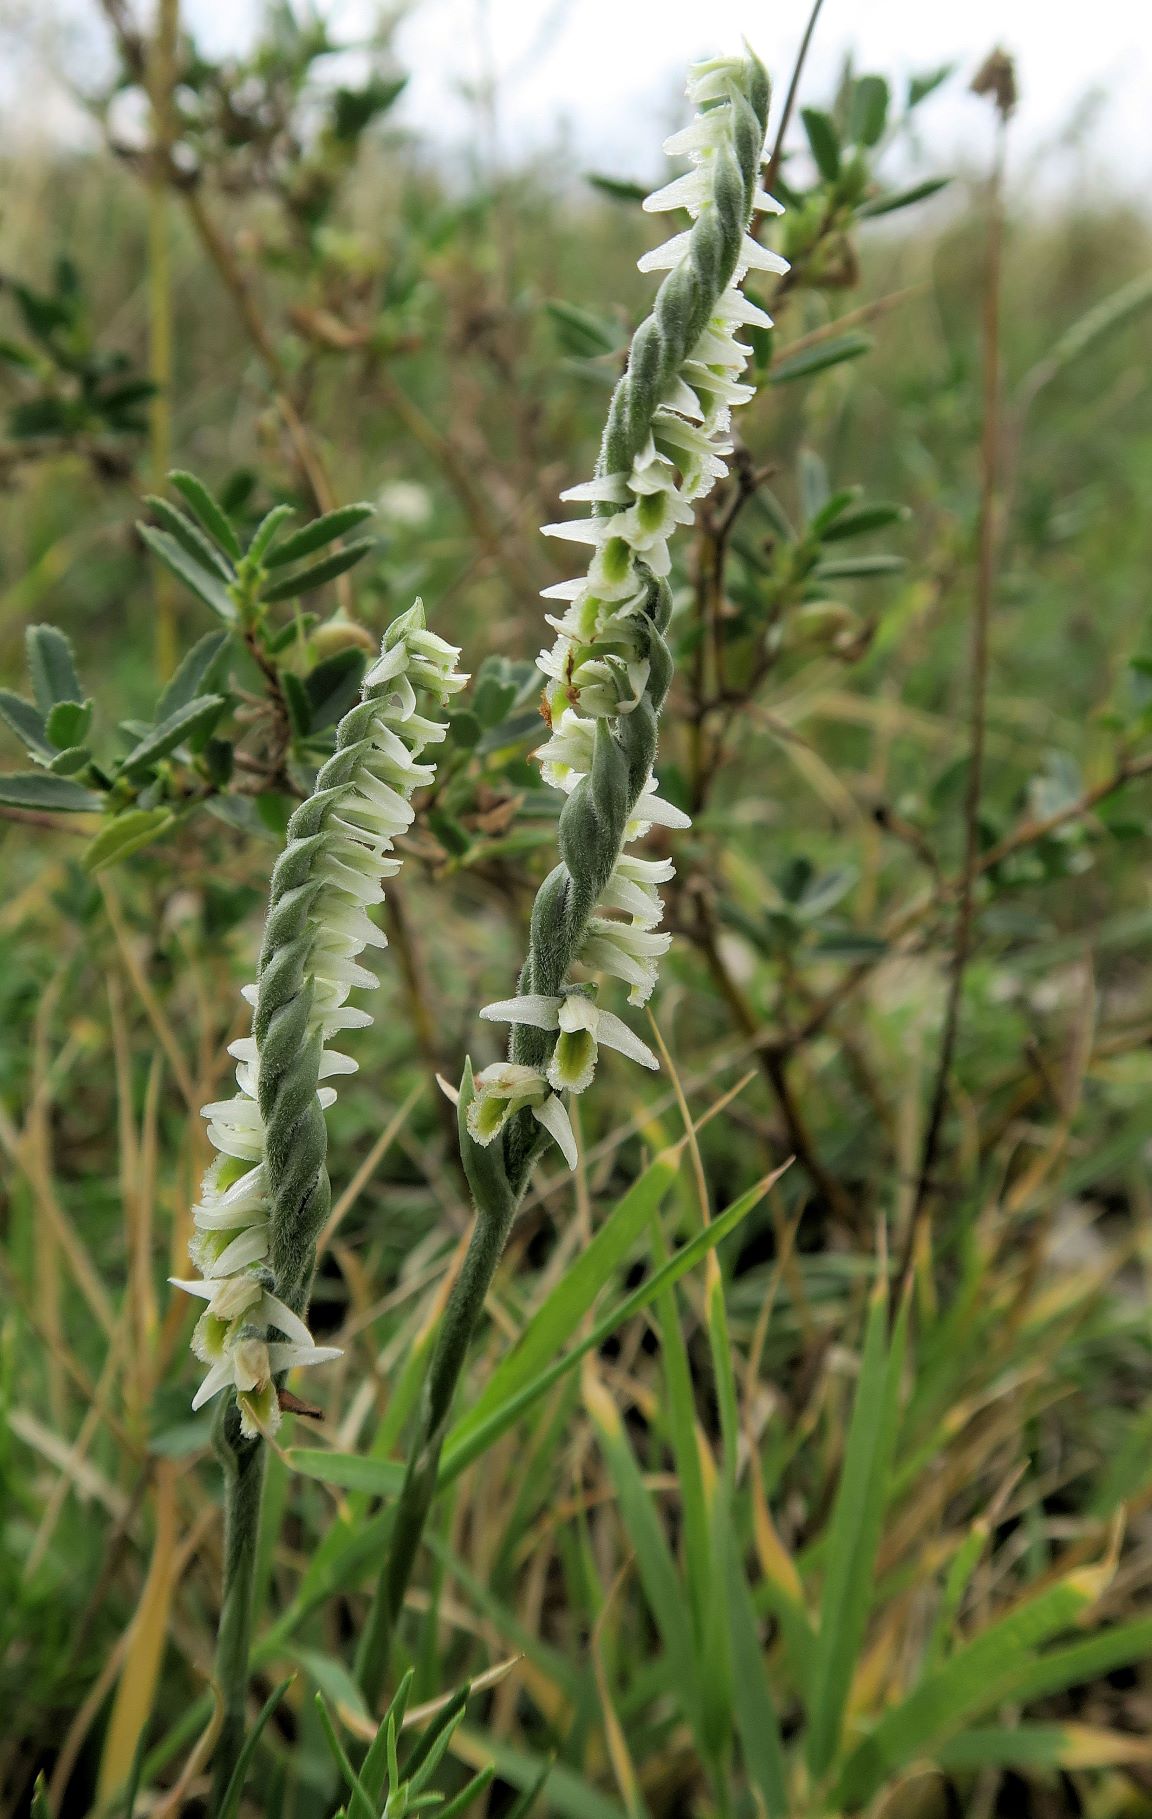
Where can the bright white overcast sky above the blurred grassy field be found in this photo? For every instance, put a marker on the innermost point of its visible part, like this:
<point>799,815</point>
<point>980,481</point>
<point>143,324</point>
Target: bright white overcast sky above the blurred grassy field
<point>601,75</point>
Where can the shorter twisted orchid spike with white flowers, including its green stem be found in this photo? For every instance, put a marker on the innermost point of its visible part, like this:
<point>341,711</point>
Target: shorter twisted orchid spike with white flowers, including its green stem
<point>265,1200</point>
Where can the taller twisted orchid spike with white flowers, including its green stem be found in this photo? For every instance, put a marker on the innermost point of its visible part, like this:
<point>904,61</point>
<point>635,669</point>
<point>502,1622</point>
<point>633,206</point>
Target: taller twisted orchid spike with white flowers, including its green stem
<point>607,681</point>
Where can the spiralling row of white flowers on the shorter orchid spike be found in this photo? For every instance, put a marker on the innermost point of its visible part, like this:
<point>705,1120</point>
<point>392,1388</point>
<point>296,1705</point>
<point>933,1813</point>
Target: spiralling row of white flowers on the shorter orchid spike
<point>358,812</point>
